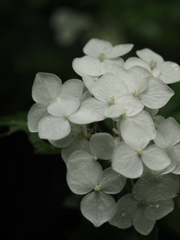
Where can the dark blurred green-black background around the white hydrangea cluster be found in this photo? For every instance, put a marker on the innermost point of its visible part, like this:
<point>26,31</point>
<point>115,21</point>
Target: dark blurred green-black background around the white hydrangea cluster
<point>35,199</point>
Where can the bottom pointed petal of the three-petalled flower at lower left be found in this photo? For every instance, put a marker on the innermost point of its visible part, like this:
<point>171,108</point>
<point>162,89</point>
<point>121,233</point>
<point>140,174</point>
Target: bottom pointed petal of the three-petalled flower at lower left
<point>97,207</point>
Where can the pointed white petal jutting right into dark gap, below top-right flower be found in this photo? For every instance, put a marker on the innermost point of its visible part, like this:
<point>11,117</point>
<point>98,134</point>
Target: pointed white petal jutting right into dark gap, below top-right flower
<point>157,94</point>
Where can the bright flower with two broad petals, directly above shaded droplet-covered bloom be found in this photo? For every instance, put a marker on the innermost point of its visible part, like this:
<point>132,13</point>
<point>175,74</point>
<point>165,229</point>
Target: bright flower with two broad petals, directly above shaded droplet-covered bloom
<point>128,160</point>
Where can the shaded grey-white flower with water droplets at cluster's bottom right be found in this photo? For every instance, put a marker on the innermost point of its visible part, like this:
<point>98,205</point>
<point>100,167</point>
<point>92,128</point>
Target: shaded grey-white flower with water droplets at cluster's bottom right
<point>142,208</point>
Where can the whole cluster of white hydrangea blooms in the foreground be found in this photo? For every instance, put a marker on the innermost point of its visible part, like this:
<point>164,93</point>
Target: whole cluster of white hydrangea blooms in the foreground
<point>144,148</point>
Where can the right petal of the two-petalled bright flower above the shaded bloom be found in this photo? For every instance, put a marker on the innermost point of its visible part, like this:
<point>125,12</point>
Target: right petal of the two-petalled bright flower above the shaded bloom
<point>155,158</point>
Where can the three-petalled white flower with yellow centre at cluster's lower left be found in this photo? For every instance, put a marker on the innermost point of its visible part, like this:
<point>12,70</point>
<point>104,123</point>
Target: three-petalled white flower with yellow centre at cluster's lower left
<point>85,176</point>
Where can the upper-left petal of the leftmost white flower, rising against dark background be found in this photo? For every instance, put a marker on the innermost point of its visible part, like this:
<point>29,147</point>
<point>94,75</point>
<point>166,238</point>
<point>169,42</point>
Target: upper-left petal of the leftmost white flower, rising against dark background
<point>46,87</point>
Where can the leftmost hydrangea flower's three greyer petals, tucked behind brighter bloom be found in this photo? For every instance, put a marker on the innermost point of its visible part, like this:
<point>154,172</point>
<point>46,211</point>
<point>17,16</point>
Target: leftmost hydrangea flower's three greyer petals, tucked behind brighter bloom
<point>46,88</point>
